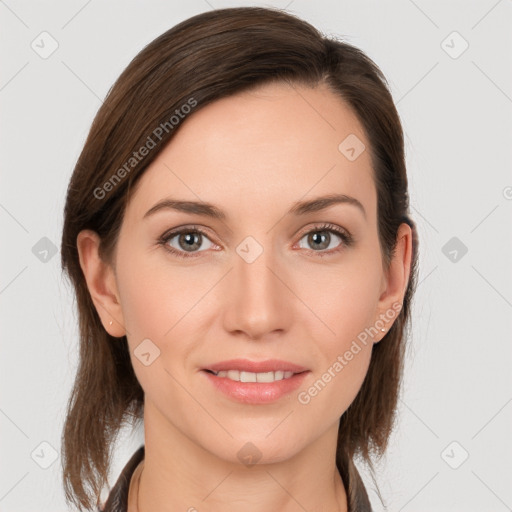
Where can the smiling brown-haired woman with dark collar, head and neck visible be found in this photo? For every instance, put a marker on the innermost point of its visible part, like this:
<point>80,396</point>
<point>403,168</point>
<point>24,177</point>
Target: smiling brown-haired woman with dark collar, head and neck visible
<point>237,232</point>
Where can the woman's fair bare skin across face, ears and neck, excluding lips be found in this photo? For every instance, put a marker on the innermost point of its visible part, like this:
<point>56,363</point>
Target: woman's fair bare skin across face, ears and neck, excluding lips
<point>253,155</point>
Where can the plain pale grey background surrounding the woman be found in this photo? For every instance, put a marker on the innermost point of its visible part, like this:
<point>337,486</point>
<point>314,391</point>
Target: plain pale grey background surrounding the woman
<point>456,110</point>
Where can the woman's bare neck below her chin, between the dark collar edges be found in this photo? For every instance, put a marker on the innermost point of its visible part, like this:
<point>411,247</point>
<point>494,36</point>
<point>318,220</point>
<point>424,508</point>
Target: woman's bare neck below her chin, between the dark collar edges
<point>178,474</point>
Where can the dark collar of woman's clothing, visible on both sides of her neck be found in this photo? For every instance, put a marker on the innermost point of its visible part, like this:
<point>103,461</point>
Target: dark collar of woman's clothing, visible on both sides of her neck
<point>117,501</point>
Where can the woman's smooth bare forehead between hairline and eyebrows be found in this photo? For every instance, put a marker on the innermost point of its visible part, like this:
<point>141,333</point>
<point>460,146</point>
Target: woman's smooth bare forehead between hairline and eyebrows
<point>262,149</point>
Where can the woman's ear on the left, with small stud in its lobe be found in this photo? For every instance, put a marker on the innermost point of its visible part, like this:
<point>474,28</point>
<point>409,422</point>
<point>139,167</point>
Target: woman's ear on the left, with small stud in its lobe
<point>101,282</point>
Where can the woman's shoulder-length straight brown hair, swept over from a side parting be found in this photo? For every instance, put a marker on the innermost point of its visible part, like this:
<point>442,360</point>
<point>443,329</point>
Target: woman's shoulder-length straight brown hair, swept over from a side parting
<point>204,58</point>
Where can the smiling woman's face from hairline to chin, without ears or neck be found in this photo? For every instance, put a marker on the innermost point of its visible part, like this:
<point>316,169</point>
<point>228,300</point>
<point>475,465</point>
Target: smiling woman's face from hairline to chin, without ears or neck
<point>263,280</point>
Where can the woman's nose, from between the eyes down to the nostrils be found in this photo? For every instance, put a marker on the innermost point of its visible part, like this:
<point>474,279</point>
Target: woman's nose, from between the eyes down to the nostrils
<point>258,300</point>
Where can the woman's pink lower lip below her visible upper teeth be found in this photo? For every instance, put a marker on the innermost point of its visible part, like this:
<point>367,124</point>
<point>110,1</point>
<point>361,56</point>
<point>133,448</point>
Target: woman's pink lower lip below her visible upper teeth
<point>256,392</point>
